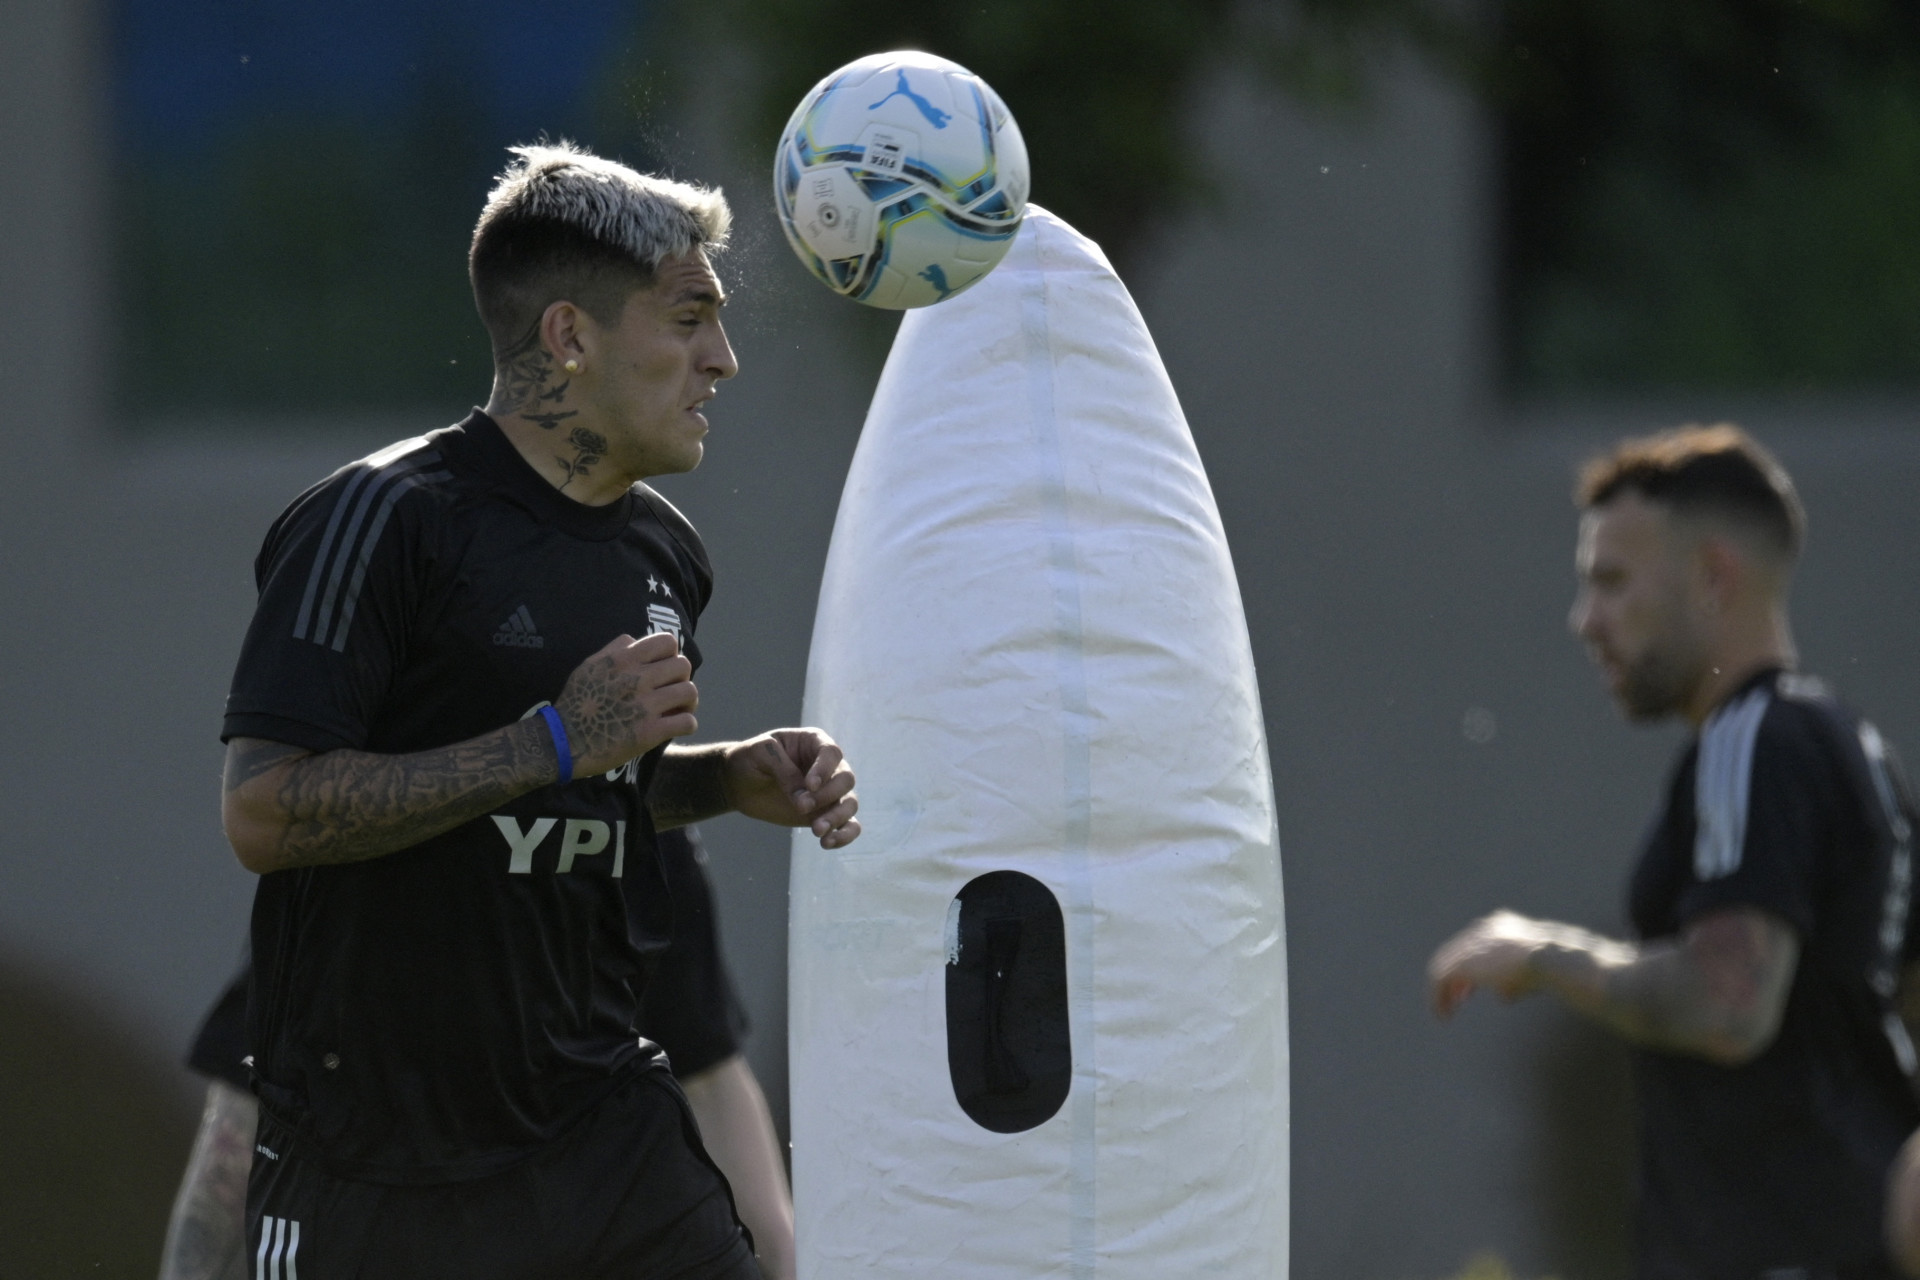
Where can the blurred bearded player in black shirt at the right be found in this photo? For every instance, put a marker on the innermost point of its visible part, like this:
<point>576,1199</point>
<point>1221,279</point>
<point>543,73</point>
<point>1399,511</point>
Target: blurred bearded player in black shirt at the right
<point>1773,893</point>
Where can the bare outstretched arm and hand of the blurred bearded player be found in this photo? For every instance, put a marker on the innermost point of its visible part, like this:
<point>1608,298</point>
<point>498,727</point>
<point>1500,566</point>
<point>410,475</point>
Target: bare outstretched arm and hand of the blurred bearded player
<point>1717,991</point>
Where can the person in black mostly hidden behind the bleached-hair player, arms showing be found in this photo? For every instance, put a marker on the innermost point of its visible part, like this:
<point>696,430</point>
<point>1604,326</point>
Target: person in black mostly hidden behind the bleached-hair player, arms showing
<point>690,1010</point>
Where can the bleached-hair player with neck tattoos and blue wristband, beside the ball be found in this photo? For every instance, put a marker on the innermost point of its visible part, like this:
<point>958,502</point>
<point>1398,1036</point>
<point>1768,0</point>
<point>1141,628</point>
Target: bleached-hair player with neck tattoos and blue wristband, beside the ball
<point>448,757</point>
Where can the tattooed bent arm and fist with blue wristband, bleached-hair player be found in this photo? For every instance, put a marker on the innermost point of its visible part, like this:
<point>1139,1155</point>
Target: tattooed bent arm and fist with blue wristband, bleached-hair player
<point>285,807</point>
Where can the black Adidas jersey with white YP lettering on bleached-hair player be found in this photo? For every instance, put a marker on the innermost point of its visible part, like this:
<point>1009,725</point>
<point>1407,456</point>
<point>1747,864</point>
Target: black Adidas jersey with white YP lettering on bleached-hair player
<point>435,1014</point>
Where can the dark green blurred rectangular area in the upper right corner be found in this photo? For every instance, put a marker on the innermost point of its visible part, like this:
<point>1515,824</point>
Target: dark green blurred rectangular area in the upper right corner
<point>1708,193</point>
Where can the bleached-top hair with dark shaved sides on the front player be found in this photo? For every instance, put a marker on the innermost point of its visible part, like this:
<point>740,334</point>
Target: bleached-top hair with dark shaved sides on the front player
<point>567,225</point>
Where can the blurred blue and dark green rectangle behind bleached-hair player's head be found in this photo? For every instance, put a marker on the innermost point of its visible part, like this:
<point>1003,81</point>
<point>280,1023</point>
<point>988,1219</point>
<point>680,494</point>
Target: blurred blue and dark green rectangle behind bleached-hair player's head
<point>295,187</point>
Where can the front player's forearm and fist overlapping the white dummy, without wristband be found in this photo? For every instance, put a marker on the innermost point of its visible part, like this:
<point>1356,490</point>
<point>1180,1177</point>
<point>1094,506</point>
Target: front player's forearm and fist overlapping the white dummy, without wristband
<point>792,778</point>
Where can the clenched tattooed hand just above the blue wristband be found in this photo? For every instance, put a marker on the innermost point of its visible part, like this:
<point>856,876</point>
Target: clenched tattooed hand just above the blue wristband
<point>625,701</point>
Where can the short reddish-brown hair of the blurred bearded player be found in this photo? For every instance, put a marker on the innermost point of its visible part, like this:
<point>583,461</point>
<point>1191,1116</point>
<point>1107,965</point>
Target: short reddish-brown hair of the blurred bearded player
<point>1712,475</point>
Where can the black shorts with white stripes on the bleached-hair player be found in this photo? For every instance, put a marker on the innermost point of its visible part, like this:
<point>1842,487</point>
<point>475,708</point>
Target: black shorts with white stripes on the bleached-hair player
<point>627,1195</point>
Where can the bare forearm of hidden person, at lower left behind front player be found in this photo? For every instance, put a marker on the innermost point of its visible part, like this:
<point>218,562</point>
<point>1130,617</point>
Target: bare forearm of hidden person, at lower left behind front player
<point>206,1235</point>
